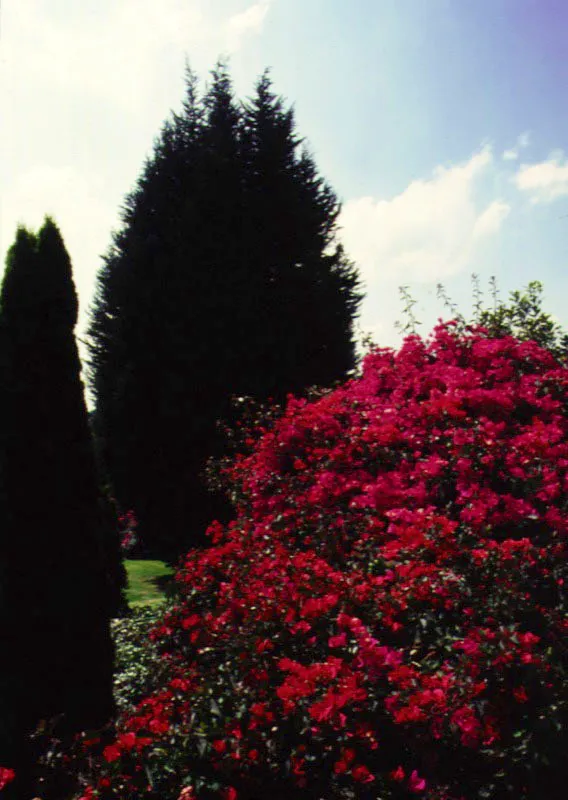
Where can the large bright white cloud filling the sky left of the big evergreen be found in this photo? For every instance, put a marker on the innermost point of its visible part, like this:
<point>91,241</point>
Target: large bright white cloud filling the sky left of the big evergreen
<point>85,88</point>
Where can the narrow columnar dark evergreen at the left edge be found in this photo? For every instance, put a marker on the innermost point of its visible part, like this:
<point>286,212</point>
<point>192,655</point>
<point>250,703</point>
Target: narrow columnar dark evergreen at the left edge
<point>56,593</point>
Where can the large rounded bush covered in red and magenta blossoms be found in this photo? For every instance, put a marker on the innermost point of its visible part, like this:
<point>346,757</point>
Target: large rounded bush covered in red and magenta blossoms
<point>385,618</point>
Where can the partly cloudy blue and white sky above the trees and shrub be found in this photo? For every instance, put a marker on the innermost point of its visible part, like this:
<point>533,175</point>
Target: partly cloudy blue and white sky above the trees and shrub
<point>442,126</point>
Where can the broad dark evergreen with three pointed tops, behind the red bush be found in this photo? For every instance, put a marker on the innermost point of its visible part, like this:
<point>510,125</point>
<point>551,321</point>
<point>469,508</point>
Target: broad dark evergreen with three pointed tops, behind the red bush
<point>224,278</point>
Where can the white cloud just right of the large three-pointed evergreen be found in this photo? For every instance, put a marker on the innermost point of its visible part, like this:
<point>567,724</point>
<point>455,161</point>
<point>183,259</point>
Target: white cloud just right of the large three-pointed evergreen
<point>426,233</point>
